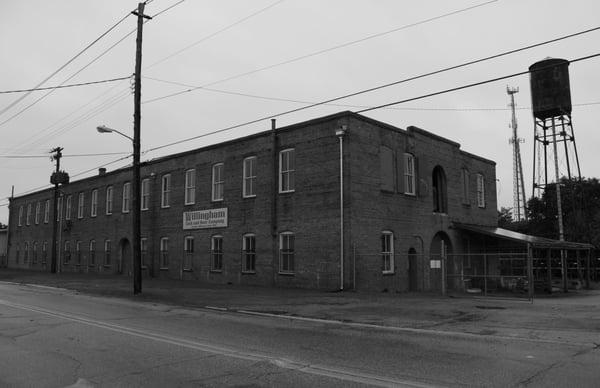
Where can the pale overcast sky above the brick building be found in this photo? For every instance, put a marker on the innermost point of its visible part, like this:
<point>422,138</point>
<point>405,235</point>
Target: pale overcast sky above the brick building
<point>224,44</point>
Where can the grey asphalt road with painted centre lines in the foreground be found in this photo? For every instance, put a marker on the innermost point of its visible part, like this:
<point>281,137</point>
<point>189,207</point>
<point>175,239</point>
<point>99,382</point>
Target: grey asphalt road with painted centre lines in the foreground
<point>58,338</point>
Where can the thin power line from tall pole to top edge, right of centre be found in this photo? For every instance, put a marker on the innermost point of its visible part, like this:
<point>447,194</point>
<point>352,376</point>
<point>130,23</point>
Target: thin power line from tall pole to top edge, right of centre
<point>319,52</point>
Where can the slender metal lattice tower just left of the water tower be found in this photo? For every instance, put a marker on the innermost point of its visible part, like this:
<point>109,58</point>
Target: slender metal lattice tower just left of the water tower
<point>519,202</point>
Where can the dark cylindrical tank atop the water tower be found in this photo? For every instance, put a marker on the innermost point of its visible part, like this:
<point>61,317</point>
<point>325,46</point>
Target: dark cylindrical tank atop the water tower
<point>550,89</point>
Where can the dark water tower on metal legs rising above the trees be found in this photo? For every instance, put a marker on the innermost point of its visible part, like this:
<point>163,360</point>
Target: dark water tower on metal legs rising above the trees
<point>554,148</point>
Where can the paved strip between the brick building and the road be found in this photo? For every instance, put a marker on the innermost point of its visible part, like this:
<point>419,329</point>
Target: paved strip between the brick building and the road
<point>574,317</point>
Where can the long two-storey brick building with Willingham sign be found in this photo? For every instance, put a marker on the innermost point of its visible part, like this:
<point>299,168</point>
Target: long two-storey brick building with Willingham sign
<point>265,210</point>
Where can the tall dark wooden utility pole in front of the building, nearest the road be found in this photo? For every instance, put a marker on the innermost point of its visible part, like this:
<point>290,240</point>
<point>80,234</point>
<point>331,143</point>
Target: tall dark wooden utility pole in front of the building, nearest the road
<point>135,202</point>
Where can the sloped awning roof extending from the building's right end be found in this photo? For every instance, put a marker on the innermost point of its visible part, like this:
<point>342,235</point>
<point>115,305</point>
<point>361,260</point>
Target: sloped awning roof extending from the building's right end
<point>536,242</point>
